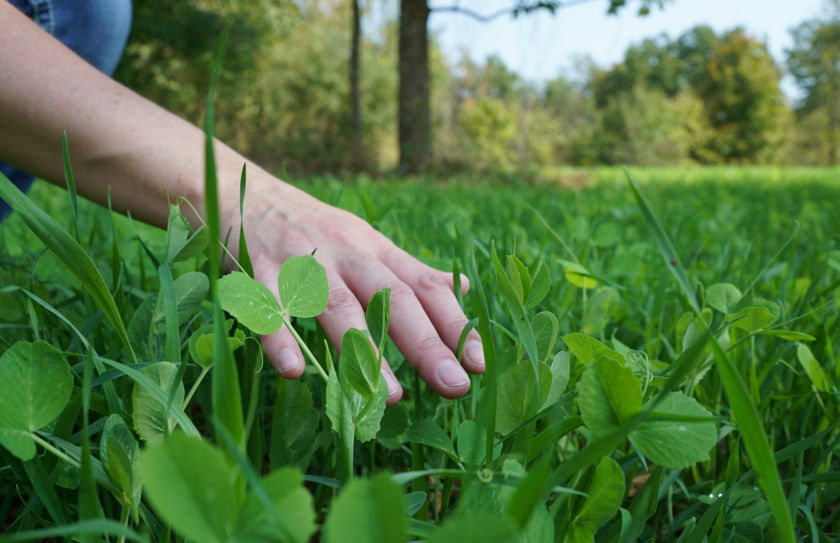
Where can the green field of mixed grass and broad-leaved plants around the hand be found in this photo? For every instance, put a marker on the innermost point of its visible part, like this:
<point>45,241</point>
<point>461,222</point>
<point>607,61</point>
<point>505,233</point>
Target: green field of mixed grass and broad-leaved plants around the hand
<point>661,365</point>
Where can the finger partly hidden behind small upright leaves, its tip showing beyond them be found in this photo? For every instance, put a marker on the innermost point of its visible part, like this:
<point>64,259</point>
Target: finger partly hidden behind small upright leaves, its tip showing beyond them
<point>344,312</point>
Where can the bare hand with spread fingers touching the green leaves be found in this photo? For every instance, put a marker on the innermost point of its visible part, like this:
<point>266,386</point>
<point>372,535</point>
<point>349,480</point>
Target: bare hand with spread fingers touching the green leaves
<point>426,320</point>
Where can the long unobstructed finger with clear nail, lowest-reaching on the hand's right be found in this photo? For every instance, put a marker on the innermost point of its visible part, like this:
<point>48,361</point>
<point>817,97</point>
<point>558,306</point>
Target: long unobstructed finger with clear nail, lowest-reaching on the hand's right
<point>411,329</point>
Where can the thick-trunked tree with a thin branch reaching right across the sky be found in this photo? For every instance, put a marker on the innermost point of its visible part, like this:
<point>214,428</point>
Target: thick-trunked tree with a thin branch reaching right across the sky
<point>415,129</point>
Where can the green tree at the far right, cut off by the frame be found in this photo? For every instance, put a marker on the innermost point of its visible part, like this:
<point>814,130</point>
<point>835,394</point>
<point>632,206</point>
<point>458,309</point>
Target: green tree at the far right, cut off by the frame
<point>814,62</point>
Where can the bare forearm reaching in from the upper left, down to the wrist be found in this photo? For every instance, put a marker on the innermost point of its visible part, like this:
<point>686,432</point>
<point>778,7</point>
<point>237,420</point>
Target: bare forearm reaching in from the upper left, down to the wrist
<point>118,139</point>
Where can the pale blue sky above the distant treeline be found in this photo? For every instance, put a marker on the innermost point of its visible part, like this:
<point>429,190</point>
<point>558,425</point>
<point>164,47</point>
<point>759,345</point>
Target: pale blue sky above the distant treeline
<point>541,46</point>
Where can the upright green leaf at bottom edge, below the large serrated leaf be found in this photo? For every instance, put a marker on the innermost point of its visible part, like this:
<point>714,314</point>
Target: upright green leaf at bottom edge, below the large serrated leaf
<point>603,498</point>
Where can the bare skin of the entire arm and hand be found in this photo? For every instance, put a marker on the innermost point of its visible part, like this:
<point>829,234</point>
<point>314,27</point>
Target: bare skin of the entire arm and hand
<point>150,157</point>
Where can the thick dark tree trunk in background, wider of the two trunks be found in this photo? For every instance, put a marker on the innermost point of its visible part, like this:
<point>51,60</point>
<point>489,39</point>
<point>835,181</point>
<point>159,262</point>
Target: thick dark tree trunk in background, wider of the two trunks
<point>415,127</point>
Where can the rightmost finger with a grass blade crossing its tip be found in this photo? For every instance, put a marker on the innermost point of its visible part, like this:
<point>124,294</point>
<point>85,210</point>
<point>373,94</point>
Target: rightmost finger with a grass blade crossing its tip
<point>433,289</point>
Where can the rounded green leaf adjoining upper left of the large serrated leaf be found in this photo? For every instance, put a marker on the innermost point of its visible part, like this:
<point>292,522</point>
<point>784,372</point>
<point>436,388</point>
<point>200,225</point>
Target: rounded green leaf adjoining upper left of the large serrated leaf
<point>608,395</point>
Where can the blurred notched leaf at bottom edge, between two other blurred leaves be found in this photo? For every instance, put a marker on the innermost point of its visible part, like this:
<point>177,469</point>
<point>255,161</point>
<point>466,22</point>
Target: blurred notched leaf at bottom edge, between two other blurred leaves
<point>293,519</point>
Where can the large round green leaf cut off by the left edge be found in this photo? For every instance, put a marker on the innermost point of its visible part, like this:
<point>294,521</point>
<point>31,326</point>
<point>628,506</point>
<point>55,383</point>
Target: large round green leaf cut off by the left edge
<point>35,386</point>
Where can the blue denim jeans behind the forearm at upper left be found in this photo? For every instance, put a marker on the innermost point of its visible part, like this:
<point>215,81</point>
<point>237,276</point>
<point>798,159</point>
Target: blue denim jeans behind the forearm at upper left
<point>95,29</point>
